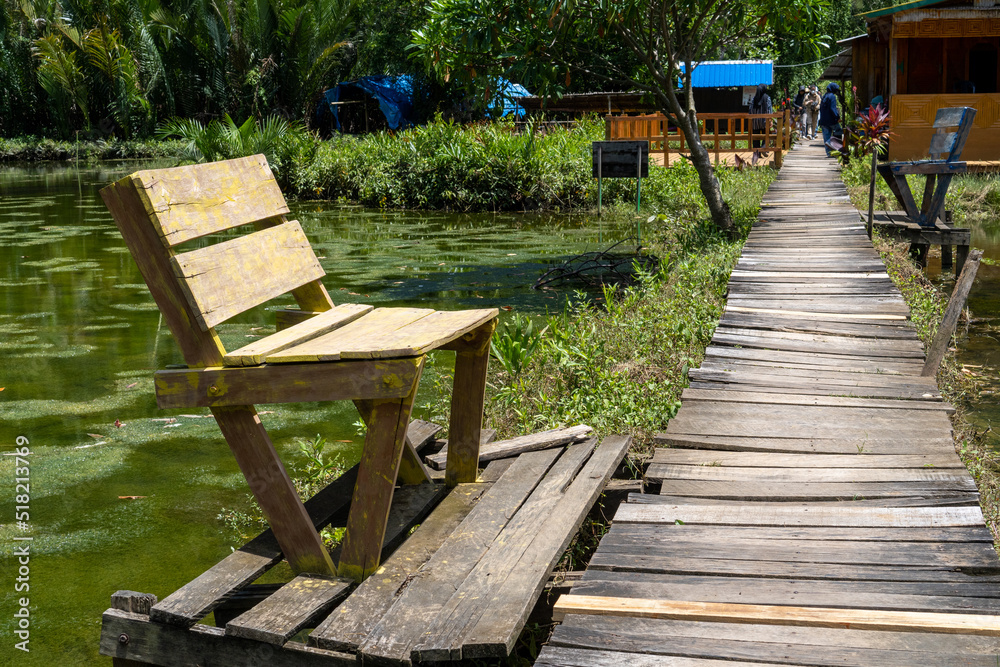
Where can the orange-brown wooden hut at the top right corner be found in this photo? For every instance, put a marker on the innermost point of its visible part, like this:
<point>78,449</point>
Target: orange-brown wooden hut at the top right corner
<point>927,54</point>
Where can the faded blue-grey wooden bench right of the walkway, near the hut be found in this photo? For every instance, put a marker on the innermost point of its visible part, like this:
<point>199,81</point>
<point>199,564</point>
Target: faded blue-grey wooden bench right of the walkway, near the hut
<point>945,150</point>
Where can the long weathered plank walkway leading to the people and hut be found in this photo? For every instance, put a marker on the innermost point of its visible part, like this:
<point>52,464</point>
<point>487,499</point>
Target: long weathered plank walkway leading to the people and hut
<point>812,508</point>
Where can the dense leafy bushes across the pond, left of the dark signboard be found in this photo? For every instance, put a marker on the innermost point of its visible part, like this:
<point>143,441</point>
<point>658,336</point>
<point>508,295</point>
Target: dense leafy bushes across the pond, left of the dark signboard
<point>443,165</point>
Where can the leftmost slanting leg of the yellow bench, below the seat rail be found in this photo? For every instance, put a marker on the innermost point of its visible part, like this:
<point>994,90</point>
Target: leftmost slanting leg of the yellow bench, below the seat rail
<point>273,489</point>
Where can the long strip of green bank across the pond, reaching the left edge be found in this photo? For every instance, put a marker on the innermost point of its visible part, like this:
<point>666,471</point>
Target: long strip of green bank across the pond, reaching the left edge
<point>490,166</point>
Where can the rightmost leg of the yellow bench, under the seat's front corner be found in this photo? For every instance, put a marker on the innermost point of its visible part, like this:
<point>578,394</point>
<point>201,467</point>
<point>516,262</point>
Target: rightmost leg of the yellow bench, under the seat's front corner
<point>467,399</point>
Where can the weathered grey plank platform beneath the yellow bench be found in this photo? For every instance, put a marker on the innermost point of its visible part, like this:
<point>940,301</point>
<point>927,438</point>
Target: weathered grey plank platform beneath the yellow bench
<point>460,587</point>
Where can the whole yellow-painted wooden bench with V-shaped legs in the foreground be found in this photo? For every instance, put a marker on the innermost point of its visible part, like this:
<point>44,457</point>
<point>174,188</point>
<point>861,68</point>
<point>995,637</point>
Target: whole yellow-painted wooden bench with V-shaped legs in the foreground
<point>326,352</point>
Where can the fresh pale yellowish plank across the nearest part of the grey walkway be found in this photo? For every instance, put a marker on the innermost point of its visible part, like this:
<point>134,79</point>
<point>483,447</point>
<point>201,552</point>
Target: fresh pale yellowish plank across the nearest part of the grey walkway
<point>824,617</point>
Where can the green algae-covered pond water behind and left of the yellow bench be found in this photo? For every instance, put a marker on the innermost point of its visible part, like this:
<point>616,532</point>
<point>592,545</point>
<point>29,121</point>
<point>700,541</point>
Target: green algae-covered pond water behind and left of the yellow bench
<point>80,338</point>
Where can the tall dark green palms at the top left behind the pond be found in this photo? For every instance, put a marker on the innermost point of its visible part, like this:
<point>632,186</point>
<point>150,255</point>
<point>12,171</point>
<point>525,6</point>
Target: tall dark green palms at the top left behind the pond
<point>117,67</point>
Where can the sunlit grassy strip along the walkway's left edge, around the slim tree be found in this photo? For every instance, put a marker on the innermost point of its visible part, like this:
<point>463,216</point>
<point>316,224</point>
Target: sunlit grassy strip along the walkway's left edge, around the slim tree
<point>620,366</point>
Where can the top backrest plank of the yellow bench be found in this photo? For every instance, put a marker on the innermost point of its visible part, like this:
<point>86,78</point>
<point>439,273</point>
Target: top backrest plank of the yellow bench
<point>185,203</point>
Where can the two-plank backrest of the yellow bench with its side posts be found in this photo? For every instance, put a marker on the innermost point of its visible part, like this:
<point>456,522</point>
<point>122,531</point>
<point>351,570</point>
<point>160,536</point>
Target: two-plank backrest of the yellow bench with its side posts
<point>159,210</point>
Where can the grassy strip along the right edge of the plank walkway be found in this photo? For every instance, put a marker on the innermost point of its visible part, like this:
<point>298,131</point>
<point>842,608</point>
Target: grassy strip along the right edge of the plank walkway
<point>970,198</point>
